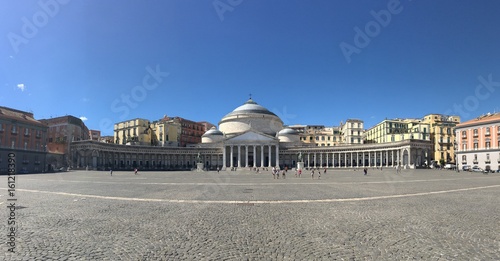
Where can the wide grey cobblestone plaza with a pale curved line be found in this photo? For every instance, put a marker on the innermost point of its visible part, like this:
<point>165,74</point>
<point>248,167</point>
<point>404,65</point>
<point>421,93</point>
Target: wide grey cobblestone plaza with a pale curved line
<point>243,215</point>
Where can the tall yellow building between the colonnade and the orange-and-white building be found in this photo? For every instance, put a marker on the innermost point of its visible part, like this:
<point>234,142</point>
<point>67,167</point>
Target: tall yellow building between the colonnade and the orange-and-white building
<point>442,136</point>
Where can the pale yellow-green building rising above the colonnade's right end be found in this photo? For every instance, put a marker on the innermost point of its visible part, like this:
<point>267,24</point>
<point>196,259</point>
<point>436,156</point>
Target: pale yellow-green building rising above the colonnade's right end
<point>398,130</point>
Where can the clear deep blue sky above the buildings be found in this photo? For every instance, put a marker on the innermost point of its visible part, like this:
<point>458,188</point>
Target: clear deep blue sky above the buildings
<point>110,61</point>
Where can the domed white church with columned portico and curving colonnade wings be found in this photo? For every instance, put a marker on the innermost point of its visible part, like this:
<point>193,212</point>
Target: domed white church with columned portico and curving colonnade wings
<point>251,137</point>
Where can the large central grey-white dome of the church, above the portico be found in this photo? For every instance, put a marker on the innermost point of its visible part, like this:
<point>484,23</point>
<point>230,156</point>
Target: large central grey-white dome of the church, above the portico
<point>250,116</point>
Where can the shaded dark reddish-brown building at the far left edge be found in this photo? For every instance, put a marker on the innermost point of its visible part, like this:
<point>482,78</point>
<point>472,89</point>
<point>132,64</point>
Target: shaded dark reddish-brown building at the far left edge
<point>24,136</point>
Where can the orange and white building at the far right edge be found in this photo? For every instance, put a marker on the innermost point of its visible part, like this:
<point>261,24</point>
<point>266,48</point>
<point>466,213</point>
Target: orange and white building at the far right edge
<point>478,142</point>
